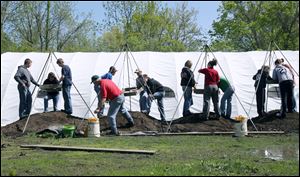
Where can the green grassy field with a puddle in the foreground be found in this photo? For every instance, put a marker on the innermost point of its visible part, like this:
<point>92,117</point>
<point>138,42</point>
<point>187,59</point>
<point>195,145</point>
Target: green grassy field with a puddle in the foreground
<point>176,156</point>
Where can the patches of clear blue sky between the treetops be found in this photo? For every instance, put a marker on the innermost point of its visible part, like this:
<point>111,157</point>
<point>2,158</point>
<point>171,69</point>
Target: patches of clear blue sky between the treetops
<point>207,11</point>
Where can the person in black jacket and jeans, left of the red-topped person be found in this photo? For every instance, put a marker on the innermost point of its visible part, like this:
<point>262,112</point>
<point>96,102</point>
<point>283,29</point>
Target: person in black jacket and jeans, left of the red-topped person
<point>187,83</point>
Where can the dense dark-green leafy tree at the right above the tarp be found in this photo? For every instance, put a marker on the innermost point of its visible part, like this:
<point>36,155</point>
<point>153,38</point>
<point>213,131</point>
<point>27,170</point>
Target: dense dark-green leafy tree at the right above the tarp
<point>252,25</point>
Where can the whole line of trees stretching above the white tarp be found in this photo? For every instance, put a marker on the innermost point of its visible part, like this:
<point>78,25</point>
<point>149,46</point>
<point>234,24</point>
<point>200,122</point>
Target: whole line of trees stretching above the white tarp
<point>43,26</point>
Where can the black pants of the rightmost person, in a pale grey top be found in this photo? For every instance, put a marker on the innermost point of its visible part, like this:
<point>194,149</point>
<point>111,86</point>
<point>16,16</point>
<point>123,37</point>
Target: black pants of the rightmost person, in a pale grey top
<point>286,93</point>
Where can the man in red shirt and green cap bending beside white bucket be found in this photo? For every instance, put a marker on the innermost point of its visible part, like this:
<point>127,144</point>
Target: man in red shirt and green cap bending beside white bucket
<point>109,91</point>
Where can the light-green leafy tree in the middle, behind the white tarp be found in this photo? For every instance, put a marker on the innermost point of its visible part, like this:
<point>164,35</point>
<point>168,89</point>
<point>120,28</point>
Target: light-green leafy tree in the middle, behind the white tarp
<point>151,26</point>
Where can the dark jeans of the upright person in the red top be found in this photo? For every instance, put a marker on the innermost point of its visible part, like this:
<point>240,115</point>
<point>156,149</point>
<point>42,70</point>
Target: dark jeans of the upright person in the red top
<point>210,91</point>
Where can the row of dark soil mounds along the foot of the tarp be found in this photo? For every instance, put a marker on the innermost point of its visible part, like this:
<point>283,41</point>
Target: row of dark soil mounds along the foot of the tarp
<point>193,123</point>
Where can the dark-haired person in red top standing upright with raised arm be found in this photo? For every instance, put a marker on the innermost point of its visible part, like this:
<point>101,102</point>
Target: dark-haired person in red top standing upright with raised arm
<point>211,89</point>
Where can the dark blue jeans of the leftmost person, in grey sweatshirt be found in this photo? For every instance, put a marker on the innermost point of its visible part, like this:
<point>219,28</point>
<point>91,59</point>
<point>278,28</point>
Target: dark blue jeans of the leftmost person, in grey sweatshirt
<point>25,101</point>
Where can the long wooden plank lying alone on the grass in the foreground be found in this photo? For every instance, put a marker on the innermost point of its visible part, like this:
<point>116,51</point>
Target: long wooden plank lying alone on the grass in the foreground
<point>76,148</point>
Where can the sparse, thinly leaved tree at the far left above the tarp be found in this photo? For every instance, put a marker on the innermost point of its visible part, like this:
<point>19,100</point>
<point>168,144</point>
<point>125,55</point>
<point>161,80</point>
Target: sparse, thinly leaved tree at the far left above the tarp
<point>44,25</point>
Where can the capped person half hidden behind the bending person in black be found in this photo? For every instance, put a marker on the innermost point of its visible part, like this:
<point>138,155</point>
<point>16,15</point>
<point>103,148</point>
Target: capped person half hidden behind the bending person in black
<point>144,98</point>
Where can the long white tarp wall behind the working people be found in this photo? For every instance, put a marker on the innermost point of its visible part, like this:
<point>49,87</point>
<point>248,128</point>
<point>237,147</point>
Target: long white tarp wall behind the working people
<point>239,67</point>
